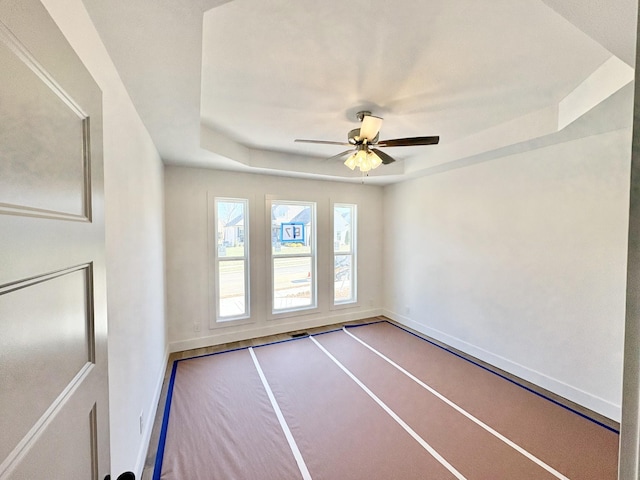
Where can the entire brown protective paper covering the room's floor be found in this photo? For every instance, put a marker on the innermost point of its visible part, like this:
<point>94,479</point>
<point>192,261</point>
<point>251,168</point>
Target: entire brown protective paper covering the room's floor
<point>222,424</point>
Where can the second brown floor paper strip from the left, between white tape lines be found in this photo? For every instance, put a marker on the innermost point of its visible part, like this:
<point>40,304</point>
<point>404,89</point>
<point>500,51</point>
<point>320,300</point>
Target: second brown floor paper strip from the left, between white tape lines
<point>341,432</point>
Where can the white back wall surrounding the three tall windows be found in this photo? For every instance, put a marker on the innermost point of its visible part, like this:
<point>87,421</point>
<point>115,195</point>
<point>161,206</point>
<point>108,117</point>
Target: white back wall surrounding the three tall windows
<point>188,286</point>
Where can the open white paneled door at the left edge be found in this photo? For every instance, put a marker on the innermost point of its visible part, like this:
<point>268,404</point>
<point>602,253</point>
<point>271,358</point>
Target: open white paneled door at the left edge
<point>53,327</point>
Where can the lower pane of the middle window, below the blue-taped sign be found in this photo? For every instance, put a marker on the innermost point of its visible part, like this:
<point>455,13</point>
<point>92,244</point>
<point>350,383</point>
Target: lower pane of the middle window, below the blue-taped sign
<point>292,283</point>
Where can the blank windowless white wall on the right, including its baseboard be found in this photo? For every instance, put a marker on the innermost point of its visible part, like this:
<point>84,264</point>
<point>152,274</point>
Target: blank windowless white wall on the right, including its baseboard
<point>521,262</point>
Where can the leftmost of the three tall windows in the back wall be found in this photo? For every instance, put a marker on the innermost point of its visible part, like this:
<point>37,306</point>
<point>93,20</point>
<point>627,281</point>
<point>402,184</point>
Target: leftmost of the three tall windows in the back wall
<point>232,258</point>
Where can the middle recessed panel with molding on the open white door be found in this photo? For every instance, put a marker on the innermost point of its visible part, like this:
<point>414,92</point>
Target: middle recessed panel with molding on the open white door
<point>54,312</point>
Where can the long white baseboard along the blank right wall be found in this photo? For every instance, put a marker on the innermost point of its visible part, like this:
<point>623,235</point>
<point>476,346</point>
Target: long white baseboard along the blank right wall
<point>585,399</point>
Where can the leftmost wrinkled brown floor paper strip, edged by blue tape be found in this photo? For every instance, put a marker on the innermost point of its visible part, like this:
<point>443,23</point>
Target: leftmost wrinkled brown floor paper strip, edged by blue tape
<point>222,425</point>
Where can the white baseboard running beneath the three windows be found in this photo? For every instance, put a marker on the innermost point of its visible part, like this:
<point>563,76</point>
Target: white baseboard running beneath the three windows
<point>263,329</point>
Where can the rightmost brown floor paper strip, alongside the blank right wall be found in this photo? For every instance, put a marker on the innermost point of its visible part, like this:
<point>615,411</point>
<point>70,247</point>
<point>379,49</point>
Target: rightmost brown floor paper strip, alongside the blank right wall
<point>573,445</point>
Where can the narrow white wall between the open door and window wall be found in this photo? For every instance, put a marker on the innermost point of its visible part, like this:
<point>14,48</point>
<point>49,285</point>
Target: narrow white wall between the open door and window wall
<point>134,248</point>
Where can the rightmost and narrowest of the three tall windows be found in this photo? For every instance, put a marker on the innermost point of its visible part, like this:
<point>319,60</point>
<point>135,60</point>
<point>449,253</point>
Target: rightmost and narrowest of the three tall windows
<point>344,254</point>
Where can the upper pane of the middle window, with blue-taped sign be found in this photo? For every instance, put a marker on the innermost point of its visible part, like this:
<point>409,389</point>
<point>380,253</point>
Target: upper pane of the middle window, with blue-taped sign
<point>291,229</point>
